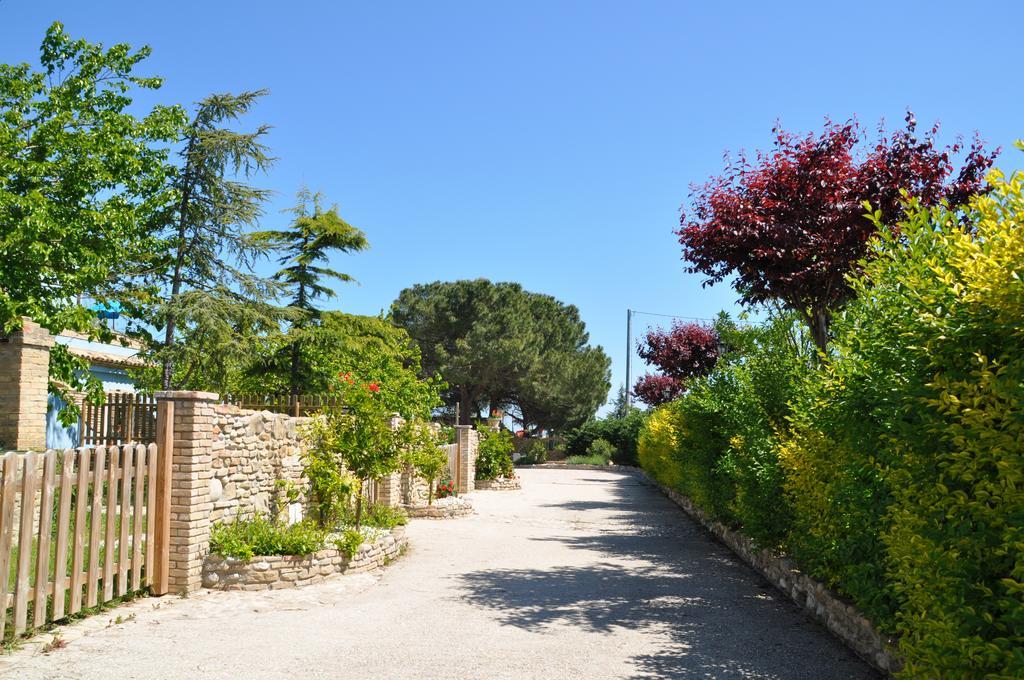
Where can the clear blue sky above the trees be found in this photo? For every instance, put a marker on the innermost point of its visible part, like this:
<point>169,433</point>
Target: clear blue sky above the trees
<point>550,143</point>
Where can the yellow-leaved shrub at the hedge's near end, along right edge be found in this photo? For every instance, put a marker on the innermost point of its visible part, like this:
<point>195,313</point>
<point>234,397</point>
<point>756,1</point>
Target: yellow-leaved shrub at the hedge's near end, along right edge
<point>957,537</point>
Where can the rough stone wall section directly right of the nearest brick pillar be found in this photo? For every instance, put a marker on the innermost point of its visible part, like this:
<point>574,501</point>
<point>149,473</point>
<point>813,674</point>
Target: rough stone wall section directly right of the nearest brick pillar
<point>251,452</point>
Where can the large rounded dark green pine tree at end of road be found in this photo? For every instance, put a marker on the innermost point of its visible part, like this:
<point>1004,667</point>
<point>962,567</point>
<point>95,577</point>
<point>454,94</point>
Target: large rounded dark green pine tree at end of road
<point>499,346</point>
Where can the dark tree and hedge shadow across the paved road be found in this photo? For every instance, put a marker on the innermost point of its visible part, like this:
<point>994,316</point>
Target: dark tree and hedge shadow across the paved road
<point>657,572</point>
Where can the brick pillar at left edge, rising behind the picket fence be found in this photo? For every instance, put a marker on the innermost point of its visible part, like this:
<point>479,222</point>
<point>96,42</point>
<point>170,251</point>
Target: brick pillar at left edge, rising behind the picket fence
<point>25,363</point>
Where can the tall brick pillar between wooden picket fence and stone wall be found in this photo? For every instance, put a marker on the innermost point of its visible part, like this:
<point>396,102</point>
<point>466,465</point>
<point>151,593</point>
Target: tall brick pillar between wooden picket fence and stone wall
<point>192,471</point>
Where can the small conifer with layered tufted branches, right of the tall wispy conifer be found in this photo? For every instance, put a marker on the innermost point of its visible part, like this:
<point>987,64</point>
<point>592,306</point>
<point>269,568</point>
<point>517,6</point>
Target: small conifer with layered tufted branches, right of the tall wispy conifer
<point>307,247</point>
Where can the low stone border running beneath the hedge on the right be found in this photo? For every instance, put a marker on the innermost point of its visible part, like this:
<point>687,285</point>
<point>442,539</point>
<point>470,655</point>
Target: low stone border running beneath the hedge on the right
<point>842,620</point>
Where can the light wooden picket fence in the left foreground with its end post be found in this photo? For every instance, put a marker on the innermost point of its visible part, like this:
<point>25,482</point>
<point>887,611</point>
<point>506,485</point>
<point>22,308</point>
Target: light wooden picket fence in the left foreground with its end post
<point>79,528</point>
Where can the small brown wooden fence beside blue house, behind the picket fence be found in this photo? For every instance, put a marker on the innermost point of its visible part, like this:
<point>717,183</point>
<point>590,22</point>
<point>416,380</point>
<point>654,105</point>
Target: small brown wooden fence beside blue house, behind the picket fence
<point>121,418</point>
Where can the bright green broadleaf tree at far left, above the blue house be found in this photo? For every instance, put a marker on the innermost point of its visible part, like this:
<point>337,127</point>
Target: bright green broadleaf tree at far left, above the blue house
<point>82,181</point>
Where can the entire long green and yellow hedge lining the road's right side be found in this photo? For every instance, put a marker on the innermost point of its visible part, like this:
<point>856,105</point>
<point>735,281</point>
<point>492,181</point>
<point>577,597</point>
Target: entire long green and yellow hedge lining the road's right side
<point>895,474</point>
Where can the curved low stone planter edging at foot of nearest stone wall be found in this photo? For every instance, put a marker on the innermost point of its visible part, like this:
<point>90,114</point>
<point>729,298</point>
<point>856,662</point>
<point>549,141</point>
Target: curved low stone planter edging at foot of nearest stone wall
<point>277,572</point>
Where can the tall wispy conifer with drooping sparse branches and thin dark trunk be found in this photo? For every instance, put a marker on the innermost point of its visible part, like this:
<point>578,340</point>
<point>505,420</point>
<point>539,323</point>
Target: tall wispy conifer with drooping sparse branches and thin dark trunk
<point>208,250</point>
